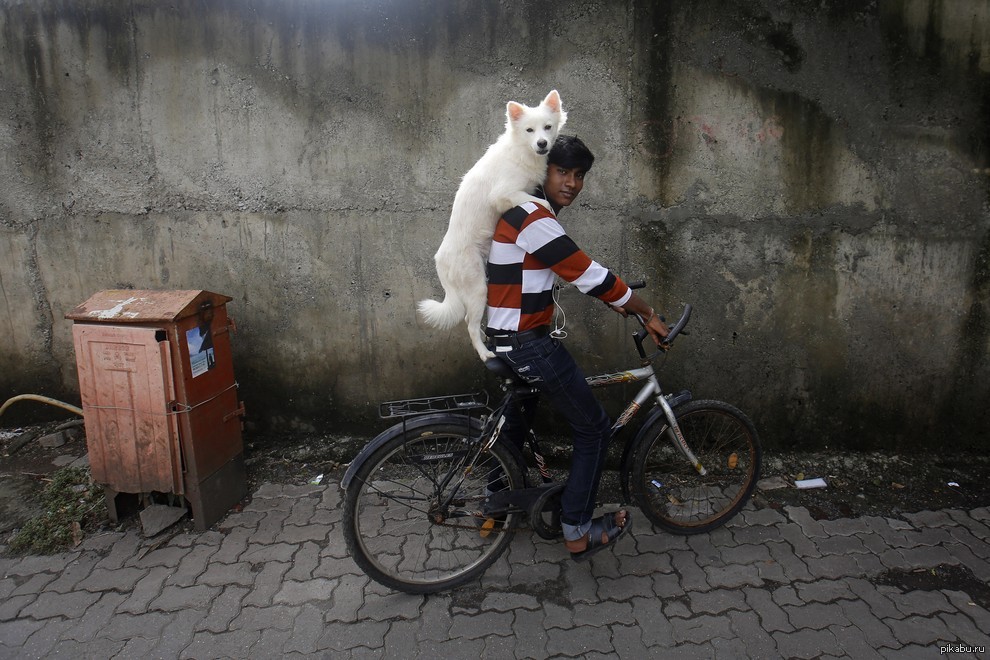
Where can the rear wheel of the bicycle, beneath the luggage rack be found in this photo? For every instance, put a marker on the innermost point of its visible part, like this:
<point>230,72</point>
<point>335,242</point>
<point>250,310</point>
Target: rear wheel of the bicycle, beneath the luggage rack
<point>389,506</point>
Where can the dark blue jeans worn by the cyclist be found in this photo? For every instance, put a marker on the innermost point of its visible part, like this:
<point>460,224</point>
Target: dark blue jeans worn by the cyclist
<point>546,364</point>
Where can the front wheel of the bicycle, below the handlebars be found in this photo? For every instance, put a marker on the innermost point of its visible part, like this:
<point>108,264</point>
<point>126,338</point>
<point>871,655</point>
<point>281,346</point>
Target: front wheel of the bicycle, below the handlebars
<point>672,493</point>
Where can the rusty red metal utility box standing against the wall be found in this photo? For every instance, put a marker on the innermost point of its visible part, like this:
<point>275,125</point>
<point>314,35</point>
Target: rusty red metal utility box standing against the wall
<point>159,399</point>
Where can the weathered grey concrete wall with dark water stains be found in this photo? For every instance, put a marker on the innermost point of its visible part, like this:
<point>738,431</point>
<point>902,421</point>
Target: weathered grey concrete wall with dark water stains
<point>812,176</point>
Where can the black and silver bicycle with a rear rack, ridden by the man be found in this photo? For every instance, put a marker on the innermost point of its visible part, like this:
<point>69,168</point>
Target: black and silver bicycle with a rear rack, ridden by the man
<point>434,500</point>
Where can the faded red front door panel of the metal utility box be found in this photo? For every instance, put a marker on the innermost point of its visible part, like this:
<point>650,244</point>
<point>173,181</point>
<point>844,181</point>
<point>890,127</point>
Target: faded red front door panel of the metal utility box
<point>126,386</point>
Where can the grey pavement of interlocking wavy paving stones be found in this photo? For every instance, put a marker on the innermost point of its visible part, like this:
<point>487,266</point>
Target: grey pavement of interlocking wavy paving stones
<point>274,580</point>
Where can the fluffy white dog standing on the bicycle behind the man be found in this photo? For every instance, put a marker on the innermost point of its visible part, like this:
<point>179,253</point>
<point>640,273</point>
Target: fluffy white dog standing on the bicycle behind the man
<point>514,165</point>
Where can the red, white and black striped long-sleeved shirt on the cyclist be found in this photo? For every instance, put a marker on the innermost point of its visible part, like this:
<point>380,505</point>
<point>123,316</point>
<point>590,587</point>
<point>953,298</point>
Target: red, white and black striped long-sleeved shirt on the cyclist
<point>529,247</point>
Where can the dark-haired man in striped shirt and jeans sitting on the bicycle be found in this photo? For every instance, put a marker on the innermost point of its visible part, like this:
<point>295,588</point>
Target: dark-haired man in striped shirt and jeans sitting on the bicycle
<point>529,250</point>
